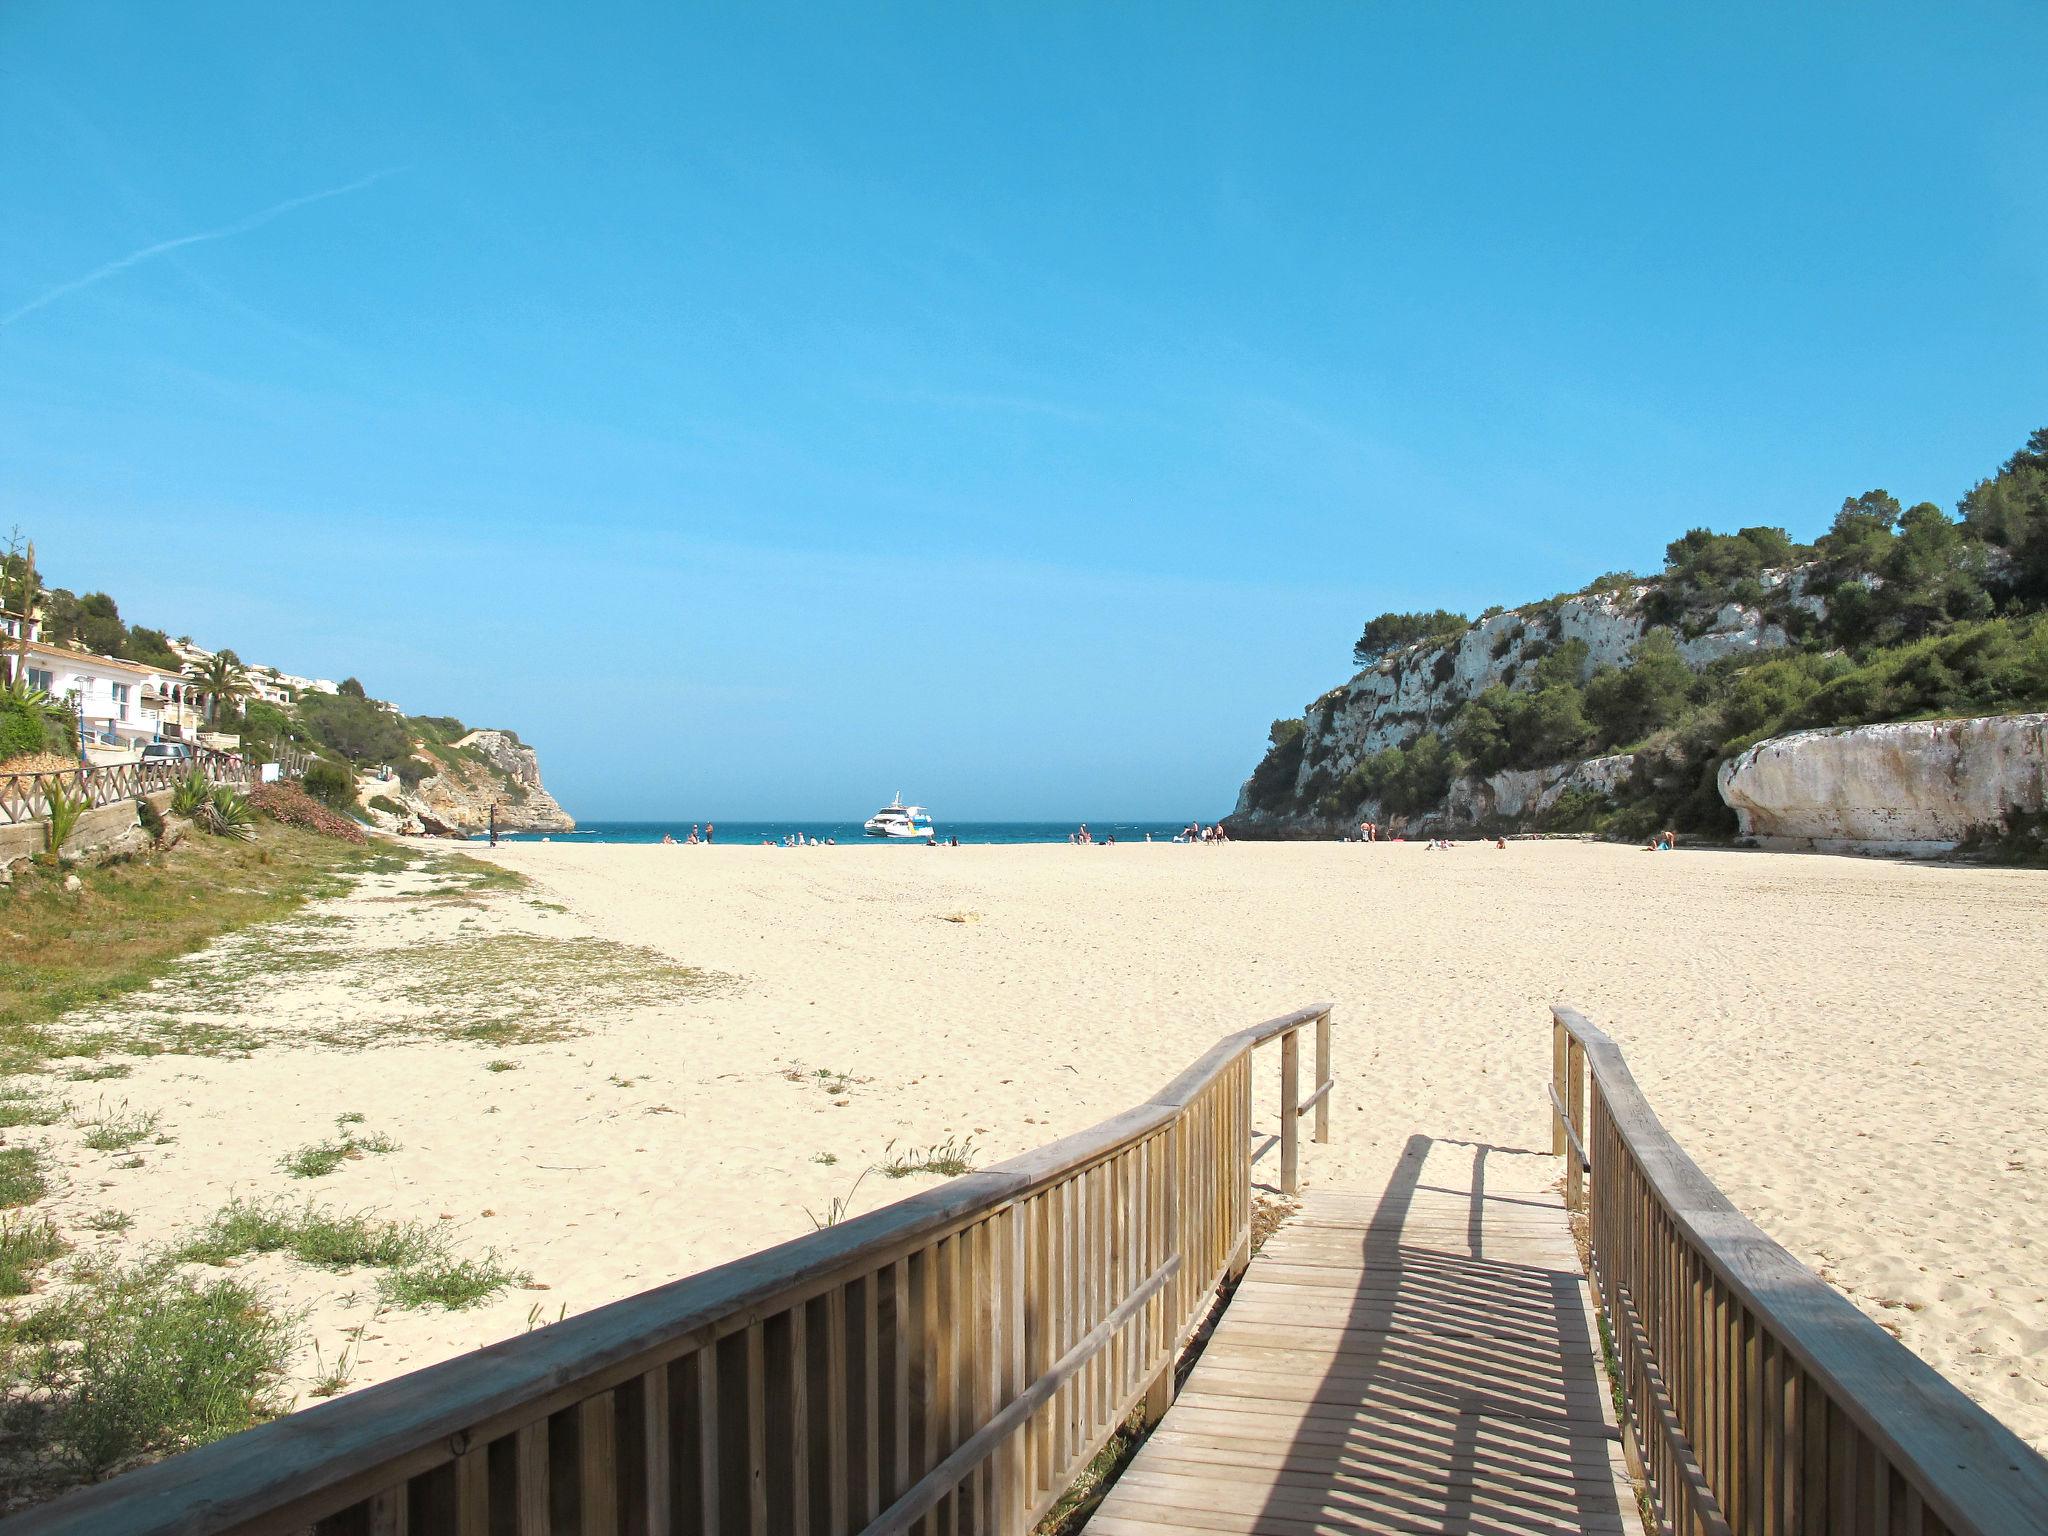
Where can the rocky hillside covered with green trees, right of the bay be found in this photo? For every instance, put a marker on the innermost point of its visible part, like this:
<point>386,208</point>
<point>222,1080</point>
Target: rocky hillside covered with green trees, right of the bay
<point>1895,613</point>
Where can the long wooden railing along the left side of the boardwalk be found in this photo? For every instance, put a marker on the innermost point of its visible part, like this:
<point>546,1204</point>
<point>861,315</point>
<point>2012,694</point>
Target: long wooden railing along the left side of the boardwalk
<point>949,1363</point>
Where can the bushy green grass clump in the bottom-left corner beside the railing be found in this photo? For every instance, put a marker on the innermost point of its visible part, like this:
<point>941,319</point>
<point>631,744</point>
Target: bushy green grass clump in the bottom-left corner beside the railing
<point>132,1365</point>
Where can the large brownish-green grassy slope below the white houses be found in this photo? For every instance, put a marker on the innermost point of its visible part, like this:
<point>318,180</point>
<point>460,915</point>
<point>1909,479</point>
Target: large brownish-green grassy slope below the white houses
<point>130,923</point>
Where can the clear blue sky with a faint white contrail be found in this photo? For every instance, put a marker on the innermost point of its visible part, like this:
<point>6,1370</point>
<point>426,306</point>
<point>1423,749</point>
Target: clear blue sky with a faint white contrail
<point>771,409</point>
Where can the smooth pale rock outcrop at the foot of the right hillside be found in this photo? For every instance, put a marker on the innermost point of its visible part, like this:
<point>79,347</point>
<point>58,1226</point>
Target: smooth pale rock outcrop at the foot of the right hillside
<point>1916,787</point>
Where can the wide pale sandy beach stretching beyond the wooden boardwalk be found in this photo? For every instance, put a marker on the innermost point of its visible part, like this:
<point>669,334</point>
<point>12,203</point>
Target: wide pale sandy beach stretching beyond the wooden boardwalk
<point>1854,1050</point>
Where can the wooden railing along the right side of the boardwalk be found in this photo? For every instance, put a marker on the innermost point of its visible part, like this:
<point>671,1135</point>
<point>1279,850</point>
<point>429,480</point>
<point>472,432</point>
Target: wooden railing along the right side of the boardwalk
<point>1760,1400</point>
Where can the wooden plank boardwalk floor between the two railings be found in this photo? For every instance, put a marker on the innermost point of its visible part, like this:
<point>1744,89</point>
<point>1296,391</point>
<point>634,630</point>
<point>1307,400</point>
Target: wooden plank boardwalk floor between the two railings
<point>1420,1361</point>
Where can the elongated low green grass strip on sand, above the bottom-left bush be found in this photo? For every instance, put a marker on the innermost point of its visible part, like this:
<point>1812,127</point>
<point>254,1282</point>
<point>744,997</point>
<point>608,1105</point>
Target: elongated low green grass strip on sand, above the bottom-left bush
<point>421,1261</point>
